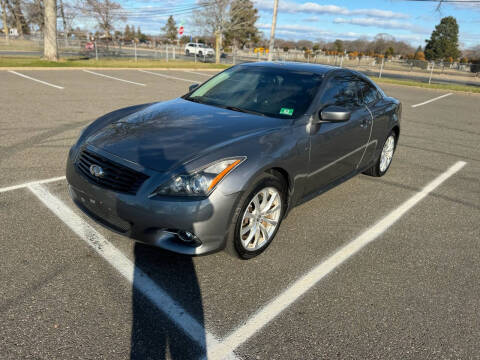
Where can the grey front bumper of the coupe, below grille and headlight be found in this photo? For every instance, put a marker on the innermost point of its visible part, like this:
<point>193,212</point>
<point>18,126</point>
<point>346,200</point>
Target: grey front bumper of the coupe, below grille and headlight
<point>154,220</point>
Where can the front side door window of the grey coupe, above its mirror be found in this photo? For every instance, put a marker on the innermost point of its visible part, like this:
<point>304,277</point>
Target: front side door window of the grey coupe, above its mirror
<point>341,90</point>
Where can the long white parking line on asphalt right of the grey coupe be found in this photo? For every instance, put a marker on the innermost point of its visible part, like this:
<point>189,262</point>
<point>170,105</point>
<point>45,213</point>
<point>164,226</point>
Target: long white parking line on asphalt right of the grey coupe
<point>307,281</point>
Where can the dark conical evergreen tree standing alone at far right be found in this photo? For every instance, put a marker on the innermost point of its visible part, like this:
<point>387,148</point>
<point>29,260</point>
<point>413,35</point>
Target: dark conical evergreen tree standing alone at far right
<point>443,42</point>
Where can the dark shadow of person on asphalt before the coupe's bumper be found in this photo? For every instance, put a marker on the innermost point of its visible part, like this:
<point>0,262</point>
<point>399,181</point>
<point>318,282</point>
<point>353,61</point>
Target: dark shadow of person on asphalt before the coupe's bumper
<point>154,335</point>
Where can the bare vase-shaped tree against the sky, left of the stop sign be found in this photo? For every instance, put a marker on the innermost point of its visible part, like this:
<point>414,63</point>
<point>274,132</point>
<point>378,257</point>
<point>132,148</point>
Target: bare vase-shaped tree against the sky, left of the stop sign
<point>105,12</point>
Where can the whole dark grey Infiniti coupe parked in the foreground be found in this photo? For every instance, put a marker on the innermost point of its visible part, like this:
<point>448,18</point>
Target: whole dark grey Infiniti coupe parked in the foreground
<point>221,166</point>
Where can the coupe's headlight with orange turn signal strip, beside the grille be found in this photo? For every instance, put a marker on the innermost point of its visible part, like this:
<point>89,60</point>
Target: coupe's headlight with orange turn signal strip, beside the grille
<point>201,182</point>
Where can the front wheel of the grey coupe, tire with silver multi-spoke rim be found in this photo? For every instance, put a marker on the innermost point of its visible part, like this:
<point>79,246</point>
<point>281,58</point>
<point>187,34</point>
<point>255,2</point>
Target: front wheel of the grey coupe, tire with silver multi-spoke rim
<point>258,216</point>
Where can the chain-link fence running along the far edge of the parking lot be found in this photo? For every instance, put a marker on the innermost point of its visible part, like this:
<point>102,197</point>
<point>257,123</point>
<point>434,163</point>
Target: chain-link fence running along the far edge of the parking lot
<point>407,69</point>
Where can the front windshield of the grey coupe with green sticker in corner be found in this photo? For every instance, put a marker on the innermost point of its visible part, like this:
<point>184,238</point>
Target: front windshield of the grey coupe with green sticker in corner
<point>273,92</point>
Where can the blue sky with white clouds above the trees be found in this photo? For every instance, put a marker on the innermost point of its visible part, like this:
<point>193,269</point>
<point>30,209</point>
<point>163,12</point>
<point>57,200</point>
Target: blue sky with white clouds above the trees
<point>327,20</point>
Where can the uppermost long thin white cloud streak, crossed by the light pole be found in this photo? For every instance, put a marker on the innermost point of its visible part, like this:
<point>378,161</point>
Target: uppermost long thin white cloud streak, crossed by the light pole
<point>314,8</point>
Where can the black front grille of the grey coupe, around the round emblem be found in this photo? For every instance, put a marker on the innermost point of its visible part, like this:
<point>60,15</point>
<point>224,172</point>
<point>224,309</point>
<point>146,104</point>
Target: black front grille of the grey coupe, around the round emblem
<point>117,177</point>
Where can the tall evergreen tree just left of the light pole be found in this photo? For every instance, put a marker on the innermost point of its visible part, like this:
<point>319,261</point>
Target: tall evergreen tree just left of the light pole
<point>241,24</point>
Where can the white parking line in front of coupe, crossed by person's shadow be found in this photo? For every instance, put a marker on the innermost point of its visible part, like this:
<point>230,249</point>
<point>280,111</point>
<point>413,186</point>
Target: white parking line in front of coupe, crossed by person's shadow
<point>127,269</point>
